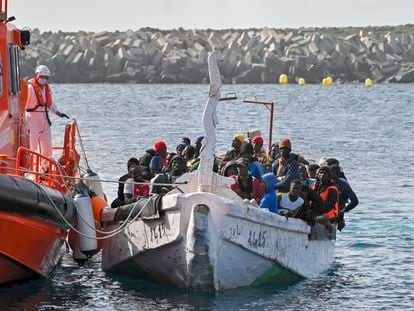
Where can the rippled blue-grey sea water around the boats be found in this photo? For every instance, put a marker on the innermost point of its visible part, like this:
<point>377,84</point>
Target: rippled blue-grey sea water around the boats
<point>369,130</point>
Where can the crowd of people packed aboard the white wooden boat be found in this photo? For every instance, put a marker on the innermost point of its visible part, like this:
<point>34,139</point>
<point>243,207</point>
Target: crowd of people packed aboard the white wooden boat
<point>278,180</point>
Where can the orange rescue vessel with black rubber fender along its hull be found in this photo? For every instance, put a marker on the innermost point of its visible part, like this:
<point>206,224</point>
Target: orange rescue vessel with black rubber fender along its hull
<point>37,209</point>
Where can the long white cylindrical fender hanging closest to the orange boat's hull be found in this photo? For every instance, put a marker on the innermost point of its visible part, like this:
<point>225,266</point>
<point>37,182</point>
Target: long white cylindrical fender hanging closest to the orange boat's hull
<point>85,224</point>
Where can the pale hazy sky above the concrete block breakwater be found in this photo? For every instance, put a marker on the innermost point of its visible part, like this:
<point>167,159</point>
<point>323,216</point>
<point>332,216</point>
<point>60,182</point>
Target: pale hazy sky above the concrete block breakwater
<point>94,15</point>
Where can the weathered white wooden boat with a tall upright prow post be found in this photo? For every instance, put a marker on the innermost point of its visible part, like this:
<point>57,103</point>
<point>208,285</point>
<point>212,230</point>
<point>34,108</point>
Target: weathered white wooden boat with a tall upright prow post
<point>202,235</point>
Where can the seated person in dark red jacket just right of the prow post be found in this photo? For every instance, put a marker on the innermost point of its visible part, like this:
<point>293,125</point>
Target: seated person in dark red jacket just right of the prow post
<point>246,186</point>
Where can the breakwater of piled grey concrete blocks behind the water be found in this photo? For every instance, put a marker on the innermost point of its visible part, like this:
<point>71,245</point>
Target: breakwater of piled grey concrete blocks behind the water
<point>149,55</point>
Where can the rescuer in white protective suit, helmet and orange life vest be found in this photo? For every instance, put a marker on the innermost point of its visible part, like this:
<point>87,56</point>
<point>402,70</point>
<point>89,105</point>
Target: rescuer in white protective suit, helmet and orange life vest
<point>39,104</point>
